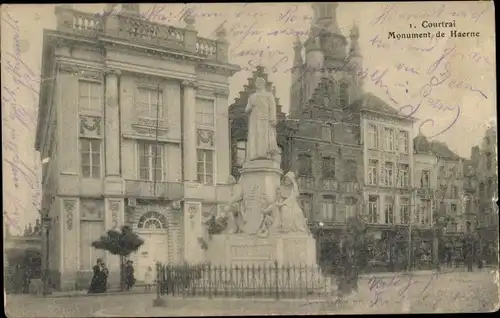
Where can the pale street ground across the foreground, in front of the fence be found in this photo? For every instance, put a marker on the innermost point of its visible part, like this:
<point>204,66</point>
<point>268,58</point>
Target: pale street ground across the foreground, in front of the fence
<point>399,293</point>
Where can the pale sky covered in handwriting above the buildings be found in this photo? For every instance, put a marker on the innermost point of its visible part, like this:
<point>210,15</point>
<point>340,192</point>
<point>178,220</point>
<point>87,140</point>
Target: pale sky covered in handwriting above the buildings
<point>452,79</point>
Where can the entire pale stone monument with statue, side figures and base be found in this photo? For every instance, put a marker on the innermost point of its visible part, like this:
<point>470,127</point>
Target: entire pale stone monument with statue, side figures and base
<point>266,223</point>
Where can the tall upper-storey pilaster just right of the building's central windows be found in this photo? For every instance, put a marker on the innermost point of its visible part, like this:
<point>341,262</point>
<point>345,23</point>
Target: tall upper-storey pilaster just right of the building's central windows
<point>189,131</point>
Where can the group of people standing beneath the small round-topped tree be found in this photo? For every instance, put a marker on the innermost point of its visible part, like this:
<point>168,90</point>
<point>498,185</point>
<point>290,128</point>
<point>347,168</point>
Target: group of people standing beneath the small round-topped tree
<point>99,282</point>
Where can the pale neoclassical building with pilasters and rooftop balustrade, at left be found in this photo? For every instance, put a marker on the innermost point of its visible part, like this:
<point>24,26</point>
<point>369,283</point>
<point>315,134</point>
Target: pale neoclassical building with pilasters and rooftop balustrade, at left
<point>132,129</point>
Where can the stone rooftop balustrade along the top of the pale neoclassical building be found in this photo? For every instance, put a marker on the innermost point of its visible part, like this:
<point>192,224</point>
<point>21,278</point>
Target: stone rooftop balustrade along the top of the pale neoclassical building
<point>139,30</point>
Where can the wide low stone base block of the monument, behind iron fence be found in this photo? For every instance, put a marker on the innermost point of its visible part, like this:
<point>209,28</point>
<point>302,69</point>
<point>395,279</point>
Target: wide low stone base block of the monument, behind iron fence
<point>295,249</point>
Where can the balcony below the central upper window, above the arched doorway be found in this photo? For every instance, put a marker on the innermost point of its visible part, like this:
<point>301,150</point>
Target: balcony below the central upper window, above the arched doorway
<point>146,189</point>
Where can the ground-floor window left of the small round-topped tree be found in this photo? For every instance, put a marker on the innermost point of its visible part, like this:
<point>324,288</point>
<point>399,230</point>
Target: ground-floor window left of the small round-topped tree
<point>89,232</point>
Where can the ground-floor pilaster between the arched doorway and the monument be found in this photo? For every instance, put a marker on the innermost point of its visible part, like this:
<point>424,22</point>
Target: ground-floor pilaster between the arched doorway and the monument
<point>192,229</point>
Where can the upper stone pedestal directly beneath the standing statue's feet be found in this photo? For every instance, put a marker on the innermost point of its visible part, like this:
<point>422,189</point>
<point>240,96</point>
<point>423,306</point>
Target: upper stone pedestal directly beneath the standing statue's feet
<point>259,180</point>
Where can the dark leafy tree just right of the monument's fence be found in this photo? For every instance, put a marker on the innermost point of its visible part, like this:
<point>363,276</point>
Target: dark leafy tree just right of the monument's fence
<point>353,257</point>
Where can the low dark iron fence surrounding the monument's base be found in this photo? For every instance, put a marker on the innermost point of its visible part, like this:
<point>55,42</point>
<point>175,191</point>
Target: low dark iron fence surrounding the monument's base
<point>268,281</point>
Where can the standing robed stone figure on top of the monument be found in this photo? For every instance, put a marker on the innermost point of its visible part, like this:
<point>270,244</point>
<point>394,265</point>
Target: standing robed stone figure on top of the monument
<point>261,140</point>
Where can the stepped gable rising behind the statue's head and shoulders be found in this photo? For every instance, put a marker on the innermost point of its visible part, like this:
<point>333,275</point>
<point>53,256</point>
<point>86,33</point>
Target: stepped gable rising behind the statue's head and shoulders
<point>236,110</point>
